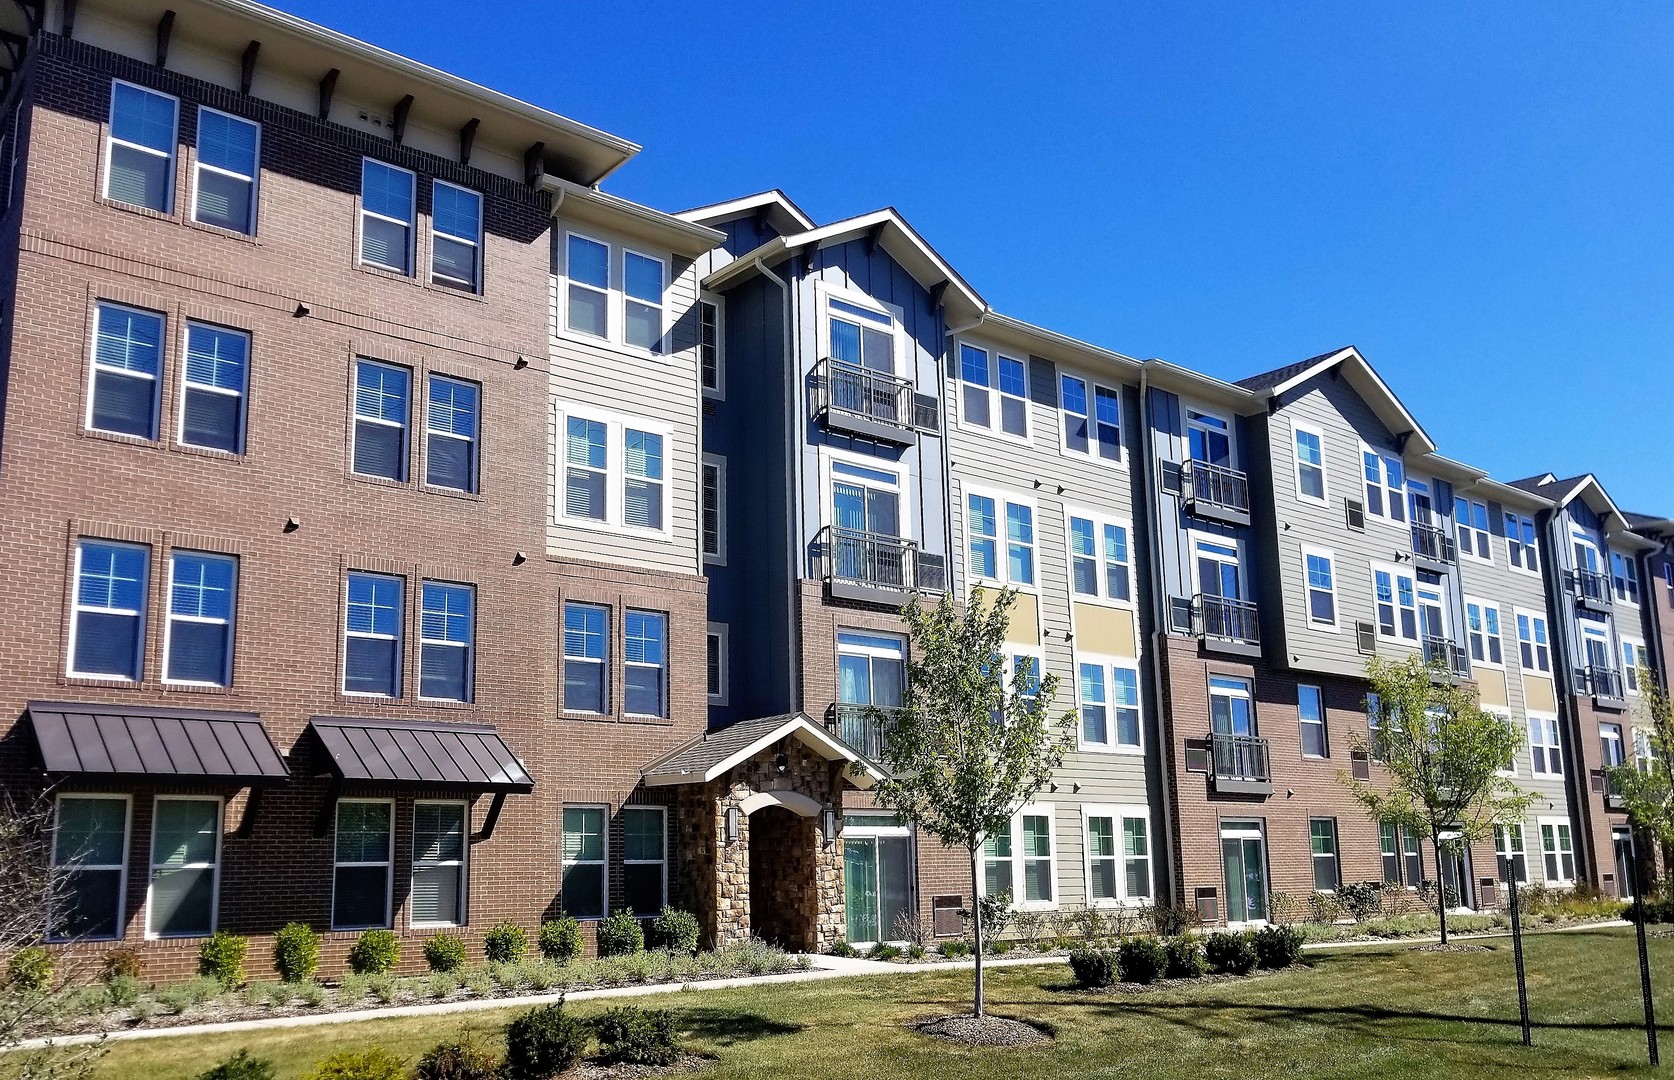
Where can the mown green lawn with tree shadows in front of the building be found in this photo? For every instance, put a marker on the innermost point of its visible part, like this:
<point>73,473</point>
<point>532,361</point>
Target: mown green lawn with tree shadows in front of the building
<point>1377,1012</point>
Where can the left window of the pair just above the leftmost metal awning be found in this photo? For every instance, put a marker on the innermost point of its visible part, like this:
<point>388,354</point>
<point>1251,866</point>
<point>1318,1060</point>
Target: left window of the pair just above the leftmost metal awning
<point>108,620</point>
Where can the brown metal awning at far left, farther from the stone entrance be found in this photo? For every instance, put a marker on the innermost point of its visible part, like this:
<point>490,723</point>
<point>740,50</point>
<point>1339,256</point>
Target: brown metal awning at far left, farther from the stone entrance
<point>187,744</point>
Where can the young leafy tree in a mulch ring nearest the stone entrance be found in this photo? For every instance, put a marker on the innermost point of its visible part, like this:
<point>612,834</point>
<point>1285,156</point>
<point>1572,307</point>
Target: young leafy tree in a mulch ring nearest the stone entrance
<point>967,751</point>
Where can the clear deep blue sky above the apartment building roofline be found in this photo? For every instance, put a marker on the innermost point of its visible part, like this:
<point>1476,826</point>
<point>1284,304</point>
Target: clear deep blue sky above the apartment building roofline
<point>1481,197</point>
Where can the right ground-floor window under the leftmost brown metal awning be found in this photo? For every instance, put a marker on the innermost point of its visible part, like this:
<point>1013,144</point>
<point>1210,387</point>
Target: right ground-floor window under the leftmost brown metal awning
<point>185,858</point>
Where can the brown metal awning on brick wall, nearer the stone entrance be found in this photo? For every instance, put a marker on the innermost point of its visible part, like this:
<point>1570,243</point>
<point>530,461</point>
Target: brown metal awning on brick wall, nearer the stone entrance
<point>419,754</point>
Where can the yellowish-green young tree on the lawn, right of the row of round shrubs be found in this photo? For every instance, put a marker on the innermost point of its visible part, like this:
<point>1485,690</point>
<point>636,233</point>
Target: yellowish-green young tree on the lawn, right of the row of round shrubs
<point>1445,761</point>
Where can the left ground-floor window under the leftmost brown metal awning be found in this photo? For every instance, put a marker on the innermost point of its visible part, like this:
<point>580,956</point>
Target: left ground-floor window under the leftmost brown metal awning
<point>90,848</point>
